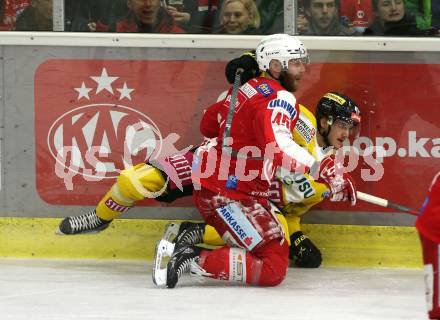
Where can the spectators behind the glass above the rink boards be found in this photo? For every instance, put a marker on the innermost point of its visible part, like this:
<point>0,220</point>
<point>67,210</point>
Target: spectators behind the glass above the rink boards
<point>246,17</point>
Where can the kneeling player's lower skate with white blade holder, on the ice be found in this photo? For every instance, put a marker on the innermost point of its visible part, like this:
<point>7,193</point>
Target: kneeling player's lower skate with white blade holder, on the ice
<point>183,260</point>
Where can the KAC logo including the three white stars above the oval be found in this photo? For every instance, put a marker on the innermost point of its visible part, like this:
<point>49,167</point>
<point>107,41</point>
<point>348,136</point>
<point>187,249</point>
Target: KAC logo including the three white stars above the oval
<point>98,140</point>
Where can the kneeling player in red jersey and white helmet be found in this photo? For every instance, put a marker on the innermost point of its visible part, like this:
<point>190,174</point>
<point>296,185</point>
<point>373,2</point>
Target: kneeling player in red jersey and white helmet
<point>231,176</point>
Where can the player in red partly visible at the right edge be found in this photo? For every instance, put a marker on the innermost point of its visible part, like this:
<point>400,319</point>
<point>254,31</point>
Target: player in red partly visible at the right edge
<point>428,225</point>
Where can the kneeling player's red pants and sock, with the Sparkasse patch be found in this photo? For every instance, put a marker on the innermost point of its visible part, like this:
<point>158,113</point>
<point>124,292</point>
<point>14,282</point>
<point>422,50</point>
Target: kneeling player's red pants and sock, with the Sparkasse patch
<point>262,258</point>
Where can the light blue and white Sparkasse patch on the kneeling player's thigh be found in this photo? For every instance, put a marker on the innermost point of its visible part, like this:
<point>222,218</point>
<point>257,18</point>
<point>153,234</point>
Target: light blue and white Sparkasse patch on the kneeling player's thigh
<point>239,225</point>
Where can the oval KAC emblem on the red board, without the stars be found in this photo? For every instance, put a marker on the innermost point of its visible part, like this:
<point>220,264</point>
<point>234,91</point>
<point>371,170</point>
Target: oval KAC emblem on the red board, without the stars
<point>94,140</point>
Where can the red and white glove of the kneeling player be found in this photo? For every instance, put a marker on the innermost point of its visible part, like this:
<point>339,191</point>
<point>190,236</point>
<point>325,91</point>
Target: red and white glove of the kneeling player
<point>341,184</point>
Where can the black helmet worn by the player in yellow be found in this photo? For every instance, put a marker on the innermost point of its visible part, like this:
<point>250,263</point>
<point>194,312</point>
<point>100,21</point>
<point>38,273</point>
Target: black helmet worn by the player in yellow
<point>338,107</point>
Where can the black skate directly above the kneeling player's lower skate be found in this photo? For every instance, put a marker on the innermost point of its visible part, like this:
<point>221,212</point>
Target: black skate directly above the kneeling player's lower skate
<point>184,233</point>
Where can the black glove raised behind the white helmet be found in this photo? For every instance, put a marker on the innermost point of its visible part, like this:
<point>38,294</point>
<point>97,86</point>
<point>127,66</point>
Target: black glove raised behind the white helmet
<point>248,63</point>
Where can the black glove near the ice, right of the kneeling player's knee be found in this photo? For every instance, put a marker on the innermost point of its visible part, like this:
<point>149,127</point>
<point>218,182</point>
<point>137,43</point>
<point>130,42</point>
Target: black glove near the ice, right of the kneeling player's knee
<point>303,252</point>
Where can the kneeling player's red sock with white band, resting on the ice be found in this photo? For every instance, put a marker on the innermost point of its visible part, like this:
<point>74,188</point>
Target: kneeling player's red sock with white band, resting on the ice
<point>265,266</point>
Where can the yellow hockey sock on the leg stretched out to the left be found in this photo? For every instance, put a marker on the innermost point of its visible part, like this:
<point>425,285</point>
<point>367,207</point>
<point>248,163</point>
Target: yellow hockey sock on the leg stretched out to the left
<point>133,184</point>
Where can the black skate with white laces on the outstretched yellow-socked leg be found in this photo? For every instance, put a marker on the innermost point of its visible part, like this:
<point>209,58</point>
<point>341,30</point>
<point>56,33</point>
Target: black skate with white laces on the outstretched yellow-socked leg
<point>85,223</point>
